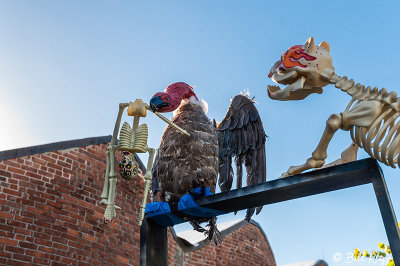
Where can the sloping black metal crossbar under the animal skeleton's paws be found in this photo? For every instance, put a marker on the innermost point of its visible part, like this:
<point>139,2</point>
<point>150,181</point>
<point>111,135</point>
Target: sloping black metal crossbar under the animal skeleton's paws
<point>293,187</point>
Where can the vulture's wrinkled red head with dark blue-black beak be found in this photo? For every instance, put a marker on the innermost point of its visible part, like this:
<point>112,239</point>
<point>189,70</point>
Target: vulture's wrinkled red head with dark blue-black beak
<point>168,101</point>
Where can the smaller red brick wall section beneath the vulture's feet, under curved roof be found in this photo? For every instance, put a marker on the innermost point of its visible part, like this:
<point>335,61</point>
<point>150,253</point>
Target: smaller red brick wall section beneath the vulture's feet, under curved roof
<point>245,246</point>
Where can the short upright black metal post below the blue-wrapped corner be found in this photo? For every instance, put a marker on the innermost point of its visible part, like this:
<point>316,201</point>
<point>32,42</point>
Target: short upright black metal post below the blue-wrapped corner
<point>153,244</point>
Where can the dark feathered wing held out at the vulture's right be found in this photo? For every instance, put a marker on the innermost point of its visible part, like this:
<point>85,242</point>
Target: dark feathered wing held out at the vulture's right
<point>241,135</point>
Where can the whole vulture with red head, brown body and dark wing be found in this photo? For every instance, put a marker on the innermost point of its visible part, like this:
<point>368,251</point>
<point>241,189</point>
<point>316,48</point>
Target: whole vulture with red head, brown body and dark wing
<point>186,162</point>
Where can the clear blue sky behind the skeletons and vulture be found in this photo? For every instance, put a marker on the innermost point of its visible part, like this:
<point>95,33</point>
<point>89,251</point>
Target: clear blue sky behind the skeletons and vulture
<point>65,66</point>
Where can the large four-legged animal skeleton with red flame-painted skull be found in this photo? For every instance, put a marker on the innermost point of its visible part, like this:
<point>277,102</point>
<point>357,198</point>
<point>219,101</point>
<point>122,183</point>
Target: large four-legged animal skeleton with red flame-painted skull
<point>371,115</point>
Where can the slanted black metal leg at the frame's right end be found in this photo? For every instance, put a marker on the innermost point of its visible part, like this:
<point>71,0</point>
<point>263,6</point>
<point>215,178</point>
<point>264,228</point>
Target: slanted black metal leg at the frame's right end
<point>388,215</point>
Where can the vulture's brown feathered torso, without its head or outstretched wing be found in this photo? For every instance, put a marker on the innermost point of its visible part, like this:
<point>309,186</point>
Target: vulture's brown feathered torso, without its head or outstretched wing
<point>186,162</point>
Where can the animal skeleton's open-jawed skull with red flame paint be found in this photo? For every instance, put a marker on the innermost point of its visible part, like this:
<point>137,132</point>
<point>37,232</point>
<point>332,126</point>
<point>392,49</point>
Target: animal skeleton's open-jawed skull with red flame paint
<point>305,68</point>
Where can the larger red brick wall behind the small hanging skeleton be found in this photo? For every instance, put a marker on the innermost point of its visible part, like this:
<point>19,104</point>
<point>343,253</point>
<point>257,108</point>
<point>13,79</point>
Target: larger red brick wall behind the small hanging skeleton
<point>50,211</point>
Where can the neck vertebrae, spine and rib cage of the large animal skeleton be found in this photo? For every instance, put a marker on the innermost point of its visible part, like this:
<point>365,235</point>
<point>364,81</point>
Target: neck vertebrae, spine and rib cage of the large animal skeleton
<point>381,140</point>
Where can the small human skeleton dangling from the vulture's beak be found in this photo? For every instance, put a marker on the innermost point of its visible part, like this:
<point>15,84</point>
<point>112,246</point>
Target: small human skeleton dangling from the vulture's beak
<point>131,140</point>
